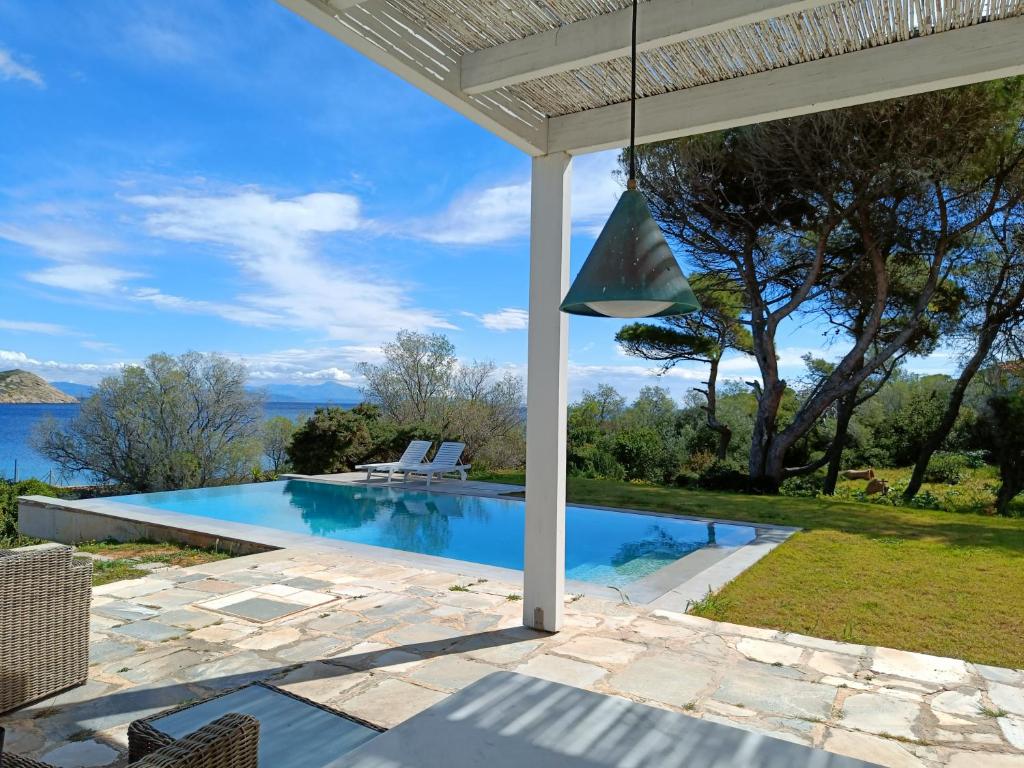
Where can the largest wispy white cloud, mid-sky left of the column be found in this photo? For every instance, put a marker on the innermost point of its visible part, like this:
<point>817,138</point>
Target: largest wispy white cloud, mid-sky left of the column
<point>277,244</point>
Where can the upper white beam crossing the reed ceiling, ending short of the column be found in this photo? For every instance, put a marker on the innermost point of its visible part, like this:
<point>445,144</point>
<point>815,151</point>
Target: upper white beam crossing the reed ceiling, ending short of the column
<point>608,37</point>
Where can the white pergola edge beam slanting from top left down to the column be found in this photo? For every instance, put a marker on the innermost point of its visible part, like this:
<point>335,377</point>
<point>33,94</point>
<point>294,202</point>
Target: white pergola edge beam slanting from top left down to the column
<point>383,35</point>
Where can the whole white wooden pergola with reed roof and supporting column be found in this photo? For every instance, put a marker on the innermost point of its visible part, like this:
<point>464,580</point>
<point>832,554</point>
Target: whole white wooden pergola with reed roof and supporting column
<point>552,77</point>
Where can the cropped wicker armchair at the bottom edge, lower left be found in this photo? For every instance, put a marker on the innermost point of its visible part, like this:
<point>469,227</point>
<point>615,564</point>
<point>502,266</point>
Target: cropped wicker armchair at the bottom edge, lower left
<point>230,742</point>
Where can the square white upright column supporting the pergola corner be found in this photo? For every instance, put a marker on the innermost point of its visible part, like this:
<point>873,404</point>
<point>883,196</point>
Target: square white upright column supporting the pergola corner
<point>546,399</point>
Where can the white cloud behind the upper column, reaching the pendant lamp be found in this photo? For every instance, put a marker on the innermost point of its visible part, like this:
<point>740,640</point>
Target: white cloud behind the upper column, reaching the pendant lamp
<point>501,212</point>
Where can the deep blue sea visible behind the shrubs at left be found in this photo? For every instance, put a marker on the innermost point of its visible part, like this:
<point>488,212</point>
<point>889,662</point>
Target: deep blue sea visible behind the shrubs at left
<point>18,422</point>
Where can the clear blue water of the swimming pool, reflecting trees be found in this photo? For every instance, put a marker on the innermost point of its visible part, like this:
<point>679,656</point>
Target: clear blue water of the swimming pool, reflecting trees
<point>606,547</point>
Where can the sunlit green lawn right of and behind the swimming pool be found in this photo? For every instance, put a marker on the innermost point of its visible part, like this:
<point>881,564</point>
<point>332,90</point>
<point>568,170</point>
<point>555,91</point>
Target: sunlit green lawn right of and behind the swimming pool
<point>950,584</point>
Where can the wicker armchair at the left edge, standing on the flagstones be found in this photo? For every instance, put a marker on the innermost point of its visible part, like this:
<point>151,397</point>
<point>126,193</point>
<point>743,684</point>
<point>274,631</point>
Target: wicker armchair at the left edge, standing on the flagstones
<point>45,623</point>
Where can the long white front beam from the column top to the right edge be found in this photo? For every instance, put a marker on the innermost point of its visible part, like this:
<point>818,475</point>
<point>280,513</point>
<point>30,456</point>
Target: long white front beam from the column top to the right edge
<point>972,55</point>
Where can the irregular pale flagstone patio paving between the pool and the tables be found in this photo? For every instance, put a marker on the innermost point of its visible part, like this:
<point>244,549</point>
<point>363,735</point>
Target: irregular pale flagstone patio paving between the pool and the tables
<point>383,642</point>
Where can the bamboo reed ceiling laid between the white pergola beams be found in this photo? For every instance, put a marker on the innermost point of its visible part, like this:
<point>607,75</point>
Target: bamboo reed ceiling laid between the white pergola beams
<point>461,27</point>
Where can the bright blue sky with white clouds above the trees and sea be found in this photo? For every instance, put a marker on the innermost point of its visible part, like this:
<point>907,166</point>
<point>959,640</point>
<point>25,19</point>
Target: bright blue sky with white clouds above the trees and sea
<point>177,177</point>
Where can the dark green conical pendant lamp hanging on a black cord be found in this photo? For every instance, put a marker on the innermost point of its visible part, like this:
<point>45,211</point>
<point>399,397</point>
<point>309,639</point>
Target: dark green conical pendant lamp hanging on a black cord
<point>631,272</point>
